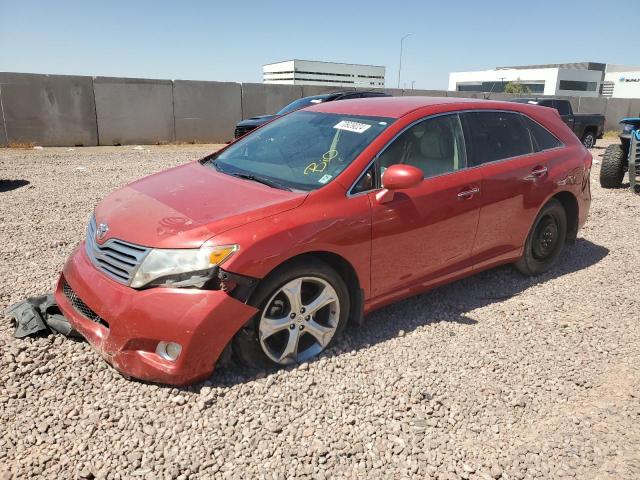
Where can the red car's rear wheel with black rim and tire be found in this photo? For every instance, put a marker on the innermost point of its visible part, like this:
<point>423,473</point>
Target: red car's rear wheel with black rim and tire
<point>545,241</point>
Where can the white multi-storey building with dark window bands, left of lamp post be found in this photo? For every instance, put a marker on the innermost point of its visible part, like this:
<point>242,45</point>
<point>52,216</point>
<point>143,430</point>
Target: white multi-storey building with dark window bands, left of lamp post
<point>308,72</point>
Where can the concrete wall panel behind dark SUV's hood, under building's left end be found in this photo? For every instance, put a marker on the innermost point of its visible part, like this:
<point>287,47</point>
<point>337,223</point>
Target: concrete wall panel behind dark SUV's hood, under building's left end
<point>264,99</point>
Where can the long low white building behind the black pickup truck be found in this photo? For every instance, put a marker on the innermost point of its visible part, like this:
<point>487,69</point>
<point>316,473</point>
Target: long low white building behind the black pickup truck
<point>571,79</point>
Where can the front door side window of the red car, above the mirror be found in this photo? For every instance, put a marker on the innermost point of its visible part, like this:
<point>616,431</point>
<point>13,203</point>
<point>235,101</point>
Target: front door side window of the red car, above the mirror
<point>435,145</point>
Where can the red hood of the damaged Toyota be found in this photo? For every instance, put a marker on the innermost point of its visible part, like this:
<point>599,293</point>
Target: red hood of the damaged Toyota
<point>185,206</point>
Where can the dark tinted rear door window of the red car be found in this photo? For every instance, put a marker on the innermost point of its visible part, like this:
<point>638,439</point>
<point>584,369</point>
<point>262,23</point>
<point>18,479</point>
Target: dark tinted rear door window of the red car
<point>496,136</point>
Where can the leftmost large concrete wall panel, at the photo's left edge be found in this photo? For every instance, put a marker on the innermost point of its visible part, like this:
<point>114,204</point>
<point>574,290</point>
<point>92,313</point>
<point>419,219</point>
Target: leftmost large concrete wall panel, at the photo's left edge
<point>47,110</point>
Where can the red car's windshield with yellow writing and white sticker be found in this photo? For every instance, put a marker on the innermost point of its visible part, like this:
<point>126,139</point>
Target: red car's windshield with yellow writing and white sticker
<point>303,150</point>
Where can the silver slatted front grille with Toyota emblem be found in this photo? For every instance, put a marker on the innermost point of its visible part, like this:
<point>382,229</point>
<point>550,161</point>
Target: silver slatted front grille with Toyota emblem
<point>117,259</point>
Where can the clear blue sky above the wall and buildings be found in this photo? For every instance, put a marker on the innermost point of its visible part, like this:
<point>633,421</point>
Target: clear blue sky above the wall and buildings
<point>231,40</point>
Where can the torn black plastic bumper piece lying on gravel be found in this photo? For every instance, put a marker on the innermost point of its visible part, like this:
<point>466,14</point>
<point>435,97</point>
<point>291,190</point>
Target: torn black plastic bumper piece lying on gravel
<point>39,314</point>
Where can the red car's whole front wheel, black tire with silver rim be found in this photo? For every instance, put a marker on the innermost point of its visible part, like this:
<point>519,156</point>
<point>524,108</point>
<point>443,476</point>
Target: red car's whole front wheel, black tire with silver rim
<point>304,307</point>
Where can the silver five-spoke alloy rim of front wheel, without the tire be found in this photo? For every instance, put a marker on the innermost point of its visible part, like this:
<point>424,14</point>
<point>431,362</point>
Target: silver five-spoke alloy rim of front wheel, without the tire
<point>299,320</point>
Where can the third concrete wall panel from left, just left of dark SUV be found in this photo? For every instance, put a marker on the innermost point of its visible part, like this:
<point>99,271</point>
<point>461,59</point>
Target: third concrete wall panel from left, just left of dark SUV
<point>206,112</point>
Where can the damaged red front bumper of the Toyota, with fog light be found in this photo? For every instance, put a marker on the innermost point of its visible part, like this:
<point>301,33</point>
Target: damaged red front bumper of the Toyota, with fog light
<point>125,325</point>
